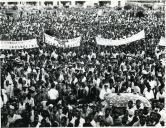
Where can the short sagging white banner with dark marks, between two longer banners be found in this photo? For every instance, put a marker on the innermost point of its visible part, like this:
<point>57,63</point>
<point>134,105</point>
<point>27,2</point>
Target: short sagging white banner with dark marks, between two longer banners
<point>75,42</point>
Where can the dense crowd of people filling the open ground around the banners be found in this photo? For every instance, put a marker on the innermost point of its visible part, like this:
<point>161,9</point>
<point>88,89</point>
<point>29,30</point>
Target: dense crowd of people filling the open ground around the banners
<point>57,87</point>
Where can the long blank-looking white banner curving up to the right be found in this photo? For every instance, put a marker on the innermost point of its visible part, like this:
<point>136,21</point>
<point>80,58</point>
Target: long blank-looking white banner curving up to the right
<point>109,42</point>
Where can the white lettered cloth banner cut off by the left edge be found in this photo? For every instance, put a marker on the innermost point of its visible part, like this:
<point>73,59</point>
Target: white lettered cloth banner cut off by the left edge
<point>24,44</point>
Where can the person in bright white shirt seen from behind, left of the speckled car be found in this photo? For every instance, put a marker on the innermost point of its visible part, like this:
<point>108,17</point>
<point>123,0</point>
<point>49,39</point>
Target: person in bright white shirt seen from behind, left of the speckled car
<point>53,95</point>
